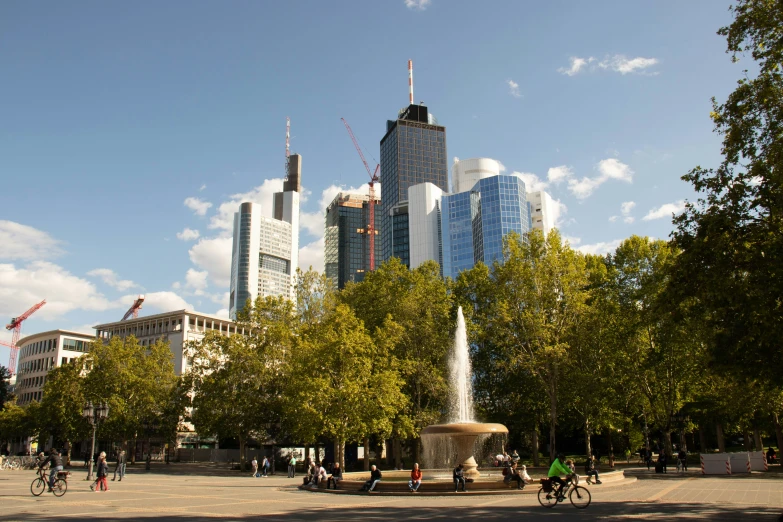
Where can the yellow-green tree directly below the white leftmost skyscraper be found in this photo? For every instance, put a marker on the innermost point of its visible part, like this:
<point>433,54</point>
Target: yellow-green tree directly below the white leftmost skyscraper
<point>237,380</point>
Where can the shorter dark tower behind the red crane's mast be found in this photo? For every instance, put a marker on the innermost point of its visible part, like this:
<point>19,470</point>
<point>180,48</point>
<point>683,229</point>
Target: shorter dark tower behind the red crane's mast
<point>346,245</point>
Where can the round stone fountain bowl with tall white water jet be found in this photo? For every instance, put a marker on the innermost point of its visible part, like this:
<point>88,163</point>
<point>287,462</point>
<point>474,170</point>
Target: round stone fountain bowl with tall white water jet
<point>461,433</point>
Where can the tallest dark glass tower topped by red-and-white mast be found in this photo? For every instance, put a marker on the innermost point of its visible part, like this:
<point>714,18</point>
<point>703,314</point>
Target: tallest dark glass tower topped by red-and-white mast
<point>413,151</point>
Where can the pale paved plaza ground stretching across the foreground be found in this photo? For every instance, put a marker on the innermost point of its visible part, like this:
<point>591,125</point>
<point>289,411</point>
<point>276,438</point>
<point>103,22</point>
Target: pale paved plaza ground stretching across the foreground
<point>185,492</point>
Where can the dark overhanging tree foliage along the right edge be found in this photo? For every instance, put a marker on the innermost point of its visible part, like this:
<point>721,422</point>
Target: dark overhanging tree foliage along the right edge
<point>731,236</point>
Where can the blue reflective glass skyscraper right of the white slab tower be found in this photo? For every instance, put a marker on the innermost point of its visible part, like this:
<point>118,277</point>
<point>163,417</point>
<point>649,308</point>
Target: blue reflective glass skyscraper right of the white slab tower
<point>474,223</point>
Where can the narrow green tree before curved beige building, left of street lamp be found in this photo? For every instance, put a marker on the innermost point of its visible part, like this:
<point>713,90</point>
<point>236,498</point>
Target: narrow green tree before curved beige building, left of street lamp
<point>60,412</point>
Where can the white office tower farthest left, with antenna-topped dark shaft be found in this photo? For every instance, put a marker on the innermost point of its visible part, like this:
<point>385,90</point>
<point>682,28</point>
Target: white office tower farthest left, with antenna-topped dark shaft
<point>263,259</point>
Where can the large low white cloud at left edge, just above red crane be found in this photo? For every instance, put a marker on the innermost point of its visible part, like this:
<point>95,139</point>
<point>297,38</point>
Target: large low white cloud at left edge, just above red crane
<point>21,287</point>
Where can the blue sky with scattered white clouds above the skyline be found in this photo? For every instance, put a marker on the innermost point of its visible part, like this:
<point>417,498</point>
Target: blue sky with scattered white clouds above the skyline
<point>131,131</point>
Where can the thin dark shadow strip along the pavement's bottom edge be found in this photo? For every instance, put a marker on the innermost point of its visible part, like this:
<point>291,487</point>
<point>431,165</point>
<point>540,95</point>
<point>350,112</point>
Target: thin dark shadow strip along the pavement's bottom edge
<point>656,512</point>
